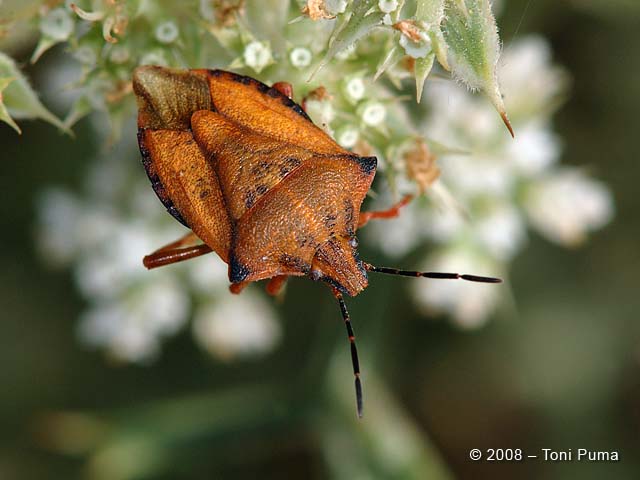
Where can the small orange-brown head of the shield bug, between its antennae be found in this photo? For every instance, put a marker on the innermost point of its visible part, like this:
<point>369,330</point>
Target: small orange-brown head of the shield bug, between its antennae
<point>337,263</point>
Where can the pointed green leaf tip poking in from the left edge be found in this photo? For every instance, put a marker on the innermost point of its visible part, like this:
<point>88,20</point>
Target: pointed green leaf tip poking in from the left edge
<point>18,98</point>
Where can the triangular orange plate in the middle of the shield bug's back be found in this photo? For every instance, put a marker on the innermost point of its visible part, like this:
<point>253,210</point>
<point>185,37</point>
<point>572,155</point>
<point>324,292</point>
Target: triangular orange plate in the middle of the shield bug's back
<point>247,164</point>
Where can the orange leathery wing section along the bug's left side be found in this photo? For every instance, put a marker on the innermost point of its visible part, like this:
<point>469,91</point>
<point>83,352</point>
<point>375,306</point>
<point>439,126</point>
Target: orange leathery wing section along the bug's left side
<point>192,185</point>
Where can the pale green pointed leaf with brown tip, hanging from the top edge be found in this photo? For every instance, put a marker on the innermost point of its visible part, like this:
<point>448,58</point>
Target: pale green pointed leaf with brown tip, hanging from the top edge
<point>474,48</point>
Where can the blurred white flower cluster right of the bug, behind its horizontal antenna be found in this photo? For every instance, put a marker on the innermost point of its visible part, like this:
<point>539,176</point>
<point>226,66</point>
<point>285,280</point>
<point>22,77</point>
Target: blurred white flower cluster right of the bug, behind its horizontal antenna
<point>493,187</point>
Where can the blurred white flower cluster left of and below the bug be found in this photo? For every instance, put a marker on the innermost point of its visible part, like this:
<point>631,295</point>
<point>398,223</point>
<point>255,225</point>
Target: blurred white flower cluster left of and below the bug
<point>131,310</point>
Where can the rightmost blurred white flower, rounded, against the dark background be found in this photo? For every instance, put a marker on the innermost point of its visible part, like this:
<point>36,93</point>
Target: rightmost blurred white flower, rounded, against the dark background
<point>567,205</point>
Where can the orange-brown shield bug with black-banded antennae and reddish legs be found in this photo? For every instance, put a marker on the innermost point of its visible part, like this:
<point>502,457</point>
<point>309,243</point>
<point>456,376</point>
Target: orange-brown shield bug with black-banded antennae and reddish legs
<point>245,169</point>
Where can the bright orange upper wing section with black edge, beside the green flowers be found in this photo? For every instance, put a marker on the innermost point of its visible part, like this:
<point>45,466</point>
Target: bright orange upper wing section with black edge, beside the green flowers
<point>266,111</point>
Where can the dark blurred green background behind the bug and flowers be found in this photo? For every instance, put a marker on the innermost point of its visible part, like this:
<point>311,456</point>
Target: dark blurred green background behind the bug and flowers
<point>562,373</point>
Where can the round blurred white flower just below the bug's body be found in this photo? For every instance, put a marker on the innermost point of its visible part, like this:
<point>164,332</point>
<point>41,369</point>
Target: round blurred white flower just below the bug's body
<point>236,325</point>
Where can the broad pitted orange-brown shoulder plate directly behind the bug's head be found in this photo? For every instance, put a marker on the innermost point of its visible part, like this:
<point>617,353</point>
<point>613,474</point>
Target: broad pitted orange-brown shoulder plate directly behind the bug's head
<point>316,203</point>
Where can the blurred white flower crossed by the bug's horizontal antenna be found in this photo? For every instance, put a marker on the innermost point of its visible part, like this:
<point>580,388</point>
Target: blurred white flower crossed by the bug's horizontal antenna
<point>469,303</point>
